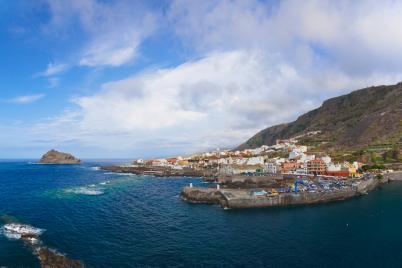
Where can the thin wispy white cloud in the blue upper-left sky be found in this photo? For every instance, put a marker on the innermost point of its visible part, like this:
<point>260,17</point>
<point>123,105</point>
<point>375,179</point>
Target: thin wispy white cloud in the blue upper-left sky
<point>114,30</point>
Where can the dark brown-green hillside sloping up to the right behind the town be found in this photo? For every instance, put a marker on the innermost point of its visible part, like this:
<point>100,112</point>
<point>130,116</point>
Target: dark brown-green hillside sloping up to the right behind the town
<point>364,117</point>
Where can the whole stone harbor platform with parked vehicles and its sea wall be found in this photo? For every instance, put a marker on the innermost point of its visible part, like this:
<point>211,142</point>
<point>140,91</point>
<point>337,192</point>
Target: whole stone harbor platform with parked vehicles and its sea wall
<point>301,192</point>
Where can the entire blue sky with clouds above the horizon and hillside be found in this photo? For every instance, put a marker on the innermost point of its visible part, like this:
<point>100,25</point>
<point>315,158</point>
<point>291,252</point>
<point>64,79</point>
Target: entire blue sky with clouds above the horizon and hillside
<point>141,79</point>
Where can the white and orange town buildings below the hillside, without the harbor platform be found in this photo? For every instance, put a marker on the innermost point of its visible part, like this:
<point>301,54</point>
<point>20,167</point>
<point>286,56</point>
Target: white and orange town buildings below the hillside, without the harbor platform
<point>285,157</point>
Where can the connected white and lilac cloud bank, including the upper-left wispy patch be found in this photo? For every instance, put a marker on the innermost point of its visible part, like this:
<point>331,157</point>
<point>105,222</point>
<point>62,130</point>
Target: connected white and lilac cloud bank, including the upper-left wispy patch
<point>253,64</point>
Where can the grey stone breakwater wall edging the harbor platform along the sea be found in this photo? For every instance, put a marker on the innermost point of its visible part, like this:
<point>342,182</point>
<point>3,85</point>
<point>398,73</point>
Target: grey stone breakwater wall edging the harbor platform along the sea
<point>241,198</point>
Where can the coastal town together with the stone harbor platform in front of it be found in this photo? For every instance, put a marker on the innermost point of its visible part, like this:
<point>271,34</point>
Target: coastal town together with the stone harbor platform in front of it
<point>285,173</point>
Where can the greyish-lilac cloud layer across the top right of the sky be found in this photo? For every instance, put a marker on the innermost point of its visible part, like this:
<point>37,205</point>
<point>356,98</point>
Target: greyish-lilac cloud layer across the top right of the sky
<point>358,37</point>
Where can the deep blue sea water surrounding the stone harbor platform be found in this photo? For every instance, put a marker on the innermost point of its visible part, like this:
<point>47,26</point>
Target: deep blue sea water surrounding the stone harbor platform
<point>141,222</point>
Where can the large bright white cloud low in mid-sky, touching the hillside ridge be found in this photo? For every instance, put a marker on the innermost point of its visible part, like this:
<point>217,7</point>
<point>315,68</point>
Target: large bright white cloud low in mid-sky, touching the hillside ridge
<point>216,101</point>
